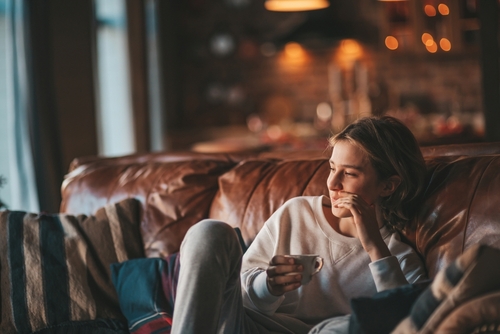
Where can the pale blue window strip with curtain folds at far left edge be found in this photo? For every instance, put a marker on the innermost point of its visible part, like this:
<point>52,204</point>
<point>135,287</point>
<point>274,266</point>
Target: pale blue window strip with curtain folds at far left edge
<point>16,163</point>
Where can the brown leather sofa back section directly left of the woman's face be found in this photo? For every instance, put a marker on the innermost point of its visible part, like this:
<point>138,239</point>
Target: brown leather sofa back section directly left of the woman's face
<point>249,193</point>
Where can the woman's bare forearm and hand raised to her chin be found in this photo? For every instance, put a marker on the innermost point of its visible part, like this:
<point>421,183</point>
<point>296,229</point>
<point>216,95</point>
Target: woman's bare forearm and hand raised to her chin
<point>366,223</point>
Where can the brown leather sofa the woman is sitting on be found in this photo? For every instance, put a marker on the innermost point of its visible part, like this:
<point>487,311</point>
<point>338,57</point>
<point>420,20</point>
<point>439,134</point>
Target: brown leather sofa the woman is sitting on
<point>461,205</point>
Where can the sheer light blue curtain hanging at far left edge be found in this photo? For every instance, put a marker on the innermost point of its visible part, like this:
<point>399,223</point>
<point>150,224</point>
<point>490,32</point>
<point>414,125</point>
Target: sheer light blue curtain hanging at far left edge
<point>21,174</point>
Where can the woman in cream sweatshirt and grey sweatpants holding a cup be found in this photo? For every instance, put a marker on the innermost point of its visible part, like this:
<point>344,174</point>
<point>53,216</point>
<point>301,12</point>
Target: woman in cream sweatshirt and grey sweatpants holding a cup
<point>376,177</point>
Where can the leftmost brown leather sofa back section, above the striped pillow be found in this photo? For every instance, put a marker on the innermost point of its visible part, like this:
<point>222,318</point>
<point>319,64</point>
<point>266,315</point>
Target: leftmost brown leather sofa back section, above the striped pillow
<point>175,194</point>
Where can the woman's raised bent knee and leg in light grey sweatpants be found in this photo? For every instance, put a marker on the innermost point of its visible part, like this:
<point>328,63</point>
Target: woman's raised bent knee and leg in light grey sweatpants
<point>208,296</point>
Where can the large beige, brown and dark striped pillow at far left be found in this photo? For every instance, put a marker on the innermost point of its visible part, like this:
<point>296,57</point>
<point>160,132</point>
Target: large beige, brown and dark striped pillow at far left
<point>55,268</point>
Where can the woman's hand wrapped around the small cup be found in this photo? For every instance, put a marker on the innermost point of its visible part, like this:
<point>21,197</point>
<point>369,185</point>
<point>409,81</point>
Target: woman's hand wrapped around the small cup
<point>278,282</point>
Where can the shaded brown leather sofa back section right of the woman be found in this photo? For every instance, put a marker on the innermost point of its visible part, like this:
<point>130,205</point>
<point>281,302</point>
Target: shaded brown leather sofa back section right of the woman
<point>460,209</point>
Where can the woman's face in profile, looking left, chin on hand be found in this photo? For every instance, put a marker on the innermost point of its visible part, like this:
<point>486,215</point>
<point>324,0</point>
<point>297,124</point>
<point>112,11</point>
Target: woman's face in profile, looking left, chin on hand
<point>352,172</point>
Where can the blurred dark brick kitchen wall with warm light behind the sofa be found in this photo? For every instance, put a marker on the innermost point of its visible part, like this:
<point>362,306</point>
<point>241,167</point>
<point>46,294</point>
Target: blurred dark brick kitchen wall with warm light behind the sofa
<point>215,89</point>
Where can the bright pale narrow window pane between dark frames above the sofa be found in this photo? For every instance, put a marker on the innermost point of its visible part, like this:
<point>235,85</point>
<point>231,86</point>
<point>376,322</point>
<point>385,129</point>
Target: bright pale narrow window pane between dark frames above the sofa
<point>114,117</point>
